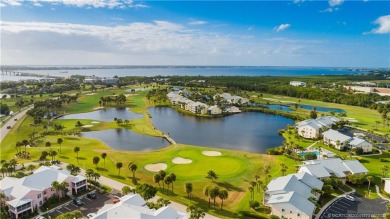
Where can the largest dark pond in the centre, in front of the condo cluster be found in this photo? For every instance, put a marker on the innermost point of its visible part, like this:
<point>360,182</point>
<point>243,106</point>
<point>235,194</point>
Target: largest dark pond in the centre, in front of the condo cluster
<point>249,131</point>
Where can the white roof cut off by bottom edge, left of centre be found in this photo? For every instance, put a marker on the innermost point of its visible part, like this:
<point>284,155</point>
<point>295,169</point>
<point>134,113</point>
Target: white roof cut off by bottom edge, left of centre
<point>134,206</point>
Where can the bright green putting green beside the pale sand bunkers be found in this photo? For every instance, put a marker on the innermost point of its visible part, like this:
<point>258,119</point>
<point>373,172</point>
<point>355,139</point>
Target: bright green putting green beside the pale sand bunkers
<point>225,167</point>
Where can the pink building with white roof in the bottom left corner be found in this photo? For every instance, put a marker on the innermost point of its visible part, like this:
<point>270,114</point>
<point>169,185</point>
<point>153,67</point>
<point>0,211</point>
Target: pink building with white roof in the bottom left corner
<point>27,194</point>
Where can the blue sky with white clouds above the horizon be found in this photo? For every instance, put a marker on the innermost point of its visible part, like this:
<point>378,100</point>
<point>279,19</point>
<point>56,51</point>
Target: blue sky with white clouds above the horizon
<point>118,32</point>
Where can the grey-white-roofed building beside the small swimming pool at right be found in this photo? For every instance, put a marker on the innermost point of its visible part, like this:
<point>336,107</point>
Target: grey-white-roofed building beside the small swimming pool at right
<point>325,168</point>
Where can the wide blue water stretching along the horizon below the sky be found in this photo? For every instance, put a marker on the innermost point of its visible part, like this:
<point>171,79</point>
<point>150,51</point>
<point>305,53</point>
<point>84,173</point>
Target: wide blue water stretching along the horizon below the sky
<point>190,71</point>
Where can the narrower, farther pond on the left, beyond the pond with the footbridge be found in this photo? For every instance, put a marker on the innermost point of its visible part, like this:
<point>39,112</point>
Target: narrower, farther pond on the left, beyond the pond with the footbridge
<point>106,115</point>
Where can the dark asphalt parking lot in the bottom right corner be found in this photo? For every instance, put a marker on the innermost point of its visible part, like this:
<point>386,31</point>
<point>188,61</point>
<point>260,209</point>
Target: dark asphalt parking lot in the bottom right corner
<point>360,208</point>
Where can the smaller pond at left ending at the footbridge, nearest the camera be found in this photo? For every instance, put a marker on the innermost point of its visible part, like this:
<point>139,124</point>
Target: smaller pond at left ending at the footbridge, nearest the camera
<point>124,139</point>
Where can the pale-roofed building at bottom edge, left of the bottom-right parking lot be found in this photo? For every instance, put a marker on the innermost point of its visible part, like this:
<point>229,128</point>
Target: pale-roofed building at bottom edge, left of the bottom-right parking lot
<point>288,196</point>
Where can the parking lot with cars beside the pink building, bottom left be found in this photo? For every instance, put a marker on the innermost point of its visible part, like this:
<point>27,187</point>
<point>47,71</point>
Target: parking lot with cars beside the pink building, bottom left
<point>89,206</point>
